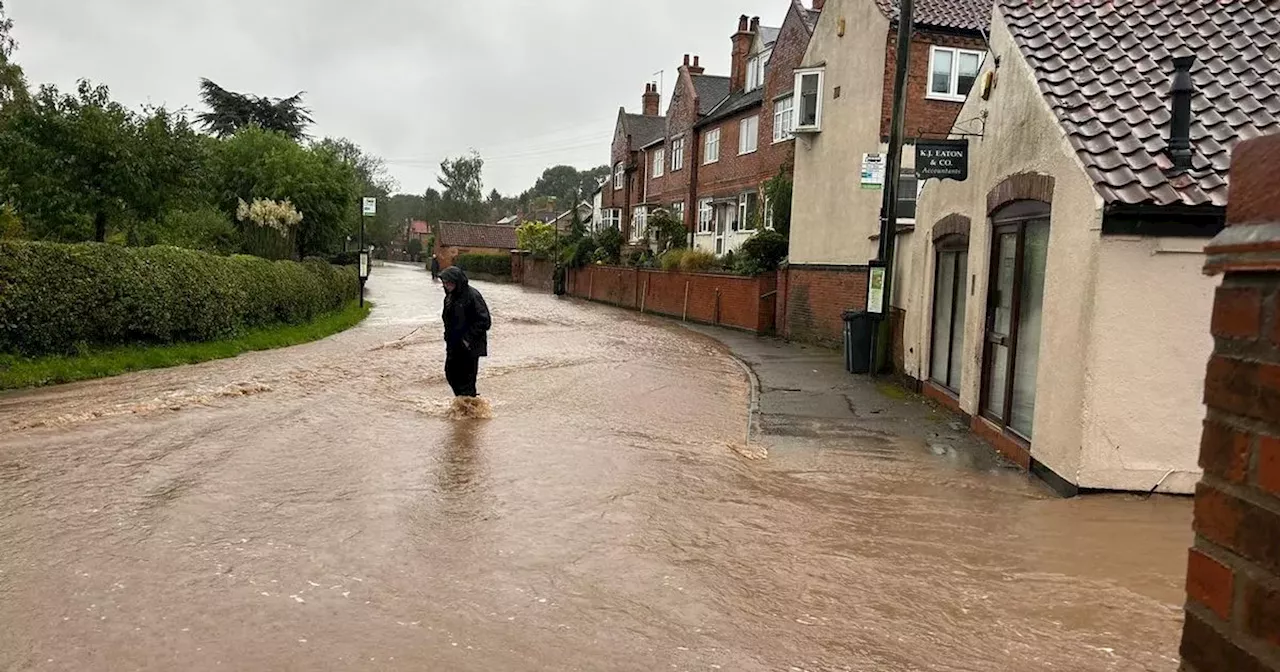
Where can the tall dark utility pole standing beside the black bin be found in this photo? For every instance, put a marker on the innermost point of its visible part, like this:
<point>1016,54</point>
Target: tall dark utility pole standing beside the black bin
<point>884,335</point>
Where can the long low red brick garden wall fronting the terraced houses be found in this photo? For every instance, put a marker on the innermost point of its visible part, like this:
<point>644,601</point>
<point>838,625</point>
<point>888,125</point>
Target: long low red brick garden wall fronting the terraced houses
<point>710,299</point>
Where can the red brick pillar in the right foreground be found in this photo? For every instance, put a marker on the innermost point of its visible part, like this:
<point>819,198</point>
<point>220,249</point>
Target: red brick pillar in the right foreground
<point>1233,577</point>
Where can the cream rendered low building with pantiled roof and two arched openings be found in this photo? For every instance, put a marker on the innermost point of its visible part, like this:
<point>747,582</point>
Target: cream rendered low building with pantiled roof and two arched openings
<point>1057,295</point>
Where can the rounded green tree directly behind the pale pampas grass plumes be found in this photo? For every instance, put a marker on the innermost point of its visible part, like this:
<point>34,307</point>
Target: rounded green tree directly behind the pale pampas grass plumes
<point>262,164</point>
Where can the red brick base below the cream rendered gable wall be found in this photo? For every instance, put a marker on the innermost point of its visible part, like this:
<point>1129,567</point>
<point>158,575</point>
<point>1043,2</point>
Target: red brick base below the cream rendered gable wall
<point>813,300</point>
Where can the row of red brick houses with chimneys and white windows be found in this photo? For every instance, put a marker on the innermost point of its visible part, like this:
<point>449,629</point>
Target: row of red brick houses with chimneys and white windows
<point>716,195</point>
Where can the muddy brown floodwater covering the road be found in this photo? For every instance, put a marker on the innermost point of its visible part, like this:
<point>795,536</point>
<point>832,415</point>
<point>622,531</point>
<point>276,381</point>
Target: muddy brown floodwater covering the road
<point>317,509</point>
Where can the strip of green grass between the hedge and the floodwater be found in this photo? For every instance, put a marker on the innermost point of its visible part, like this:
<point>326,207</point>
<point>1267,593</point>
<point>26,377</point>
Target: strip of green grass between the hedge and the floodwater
<point>38,372</point>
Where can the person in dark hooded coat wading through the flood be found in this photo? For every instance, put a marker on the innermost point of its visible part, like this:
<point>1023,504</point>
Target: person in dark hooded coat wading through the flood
<point>467,332</point>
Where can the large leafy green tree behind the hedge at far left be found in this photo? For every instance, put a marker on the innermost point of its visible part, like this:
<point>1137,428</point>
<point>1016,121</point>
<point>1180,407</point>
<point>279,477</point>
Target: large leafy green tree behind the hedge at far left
<point>77,166</point>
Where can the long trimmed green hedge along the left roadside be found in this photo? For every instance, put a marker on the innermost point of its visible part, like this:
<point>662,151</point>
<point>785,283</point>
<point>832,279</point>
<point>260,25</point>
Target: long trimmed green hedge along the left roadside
<point>60,299</point>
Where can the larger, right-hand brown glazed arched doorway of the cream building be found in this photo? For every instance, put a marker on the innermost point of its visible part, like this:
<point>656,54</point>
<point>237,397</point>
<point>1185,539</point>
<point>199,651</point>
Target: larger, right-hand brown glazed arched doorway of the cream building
<point>1016,300</point>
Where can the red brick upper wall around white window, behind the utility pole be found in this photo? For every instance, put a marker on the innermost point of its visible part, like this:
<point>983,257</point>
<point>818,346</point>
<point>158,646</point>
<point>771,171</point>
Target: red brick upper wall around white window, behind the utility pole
<point>922,113</point>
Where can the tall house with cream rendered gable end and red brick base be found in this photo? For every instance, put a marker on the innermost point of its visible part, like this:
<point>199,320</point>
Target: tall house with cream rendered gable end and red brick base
<point>843,109</point>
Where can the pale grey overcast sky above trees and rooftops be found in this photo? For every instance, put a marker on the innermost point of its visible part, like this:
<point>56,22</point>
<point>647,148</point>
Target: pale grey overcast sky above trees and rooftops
<point>529,84</point>
